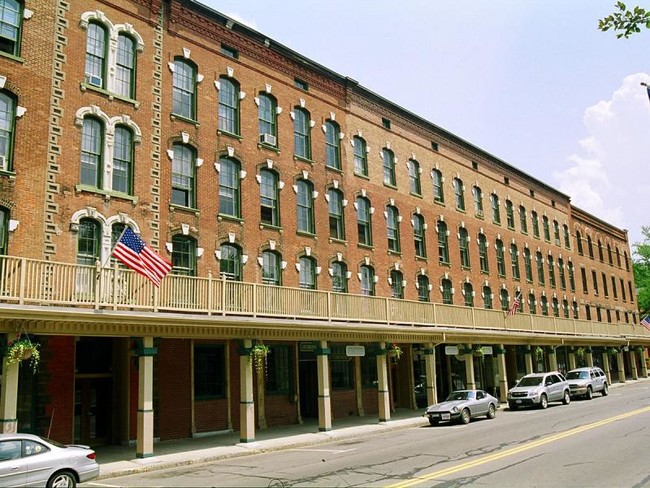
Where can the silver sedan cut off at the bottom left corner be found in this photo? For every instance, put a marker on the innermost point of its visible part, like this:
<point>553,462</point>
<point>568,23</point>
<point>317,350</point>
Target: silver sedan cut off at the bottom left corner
<point>30,460</point>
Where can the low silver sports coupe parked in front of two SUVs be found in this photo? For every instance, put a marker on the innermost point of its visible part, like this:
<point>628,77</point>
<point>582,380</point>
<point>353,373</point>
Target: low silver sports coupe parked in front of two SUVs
<point>463,405</point>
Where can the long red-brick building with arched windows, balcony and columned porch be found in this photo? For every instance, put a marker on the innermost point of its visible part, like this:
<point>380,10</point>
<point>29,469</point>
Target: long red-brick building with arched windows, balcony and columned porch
<point>304,215</point>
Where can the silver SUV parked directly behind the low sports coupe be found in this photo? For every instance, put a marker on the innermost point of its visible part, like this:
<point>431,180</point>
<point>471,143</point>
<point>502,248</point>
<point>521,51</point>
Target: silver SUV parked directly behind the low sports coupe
<point>538,389</point>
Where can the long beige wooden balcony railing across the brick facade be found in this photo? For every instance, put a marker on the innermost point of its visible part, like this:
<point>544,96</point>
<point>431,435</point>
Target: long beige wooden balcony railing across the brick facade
<point>50,284</point>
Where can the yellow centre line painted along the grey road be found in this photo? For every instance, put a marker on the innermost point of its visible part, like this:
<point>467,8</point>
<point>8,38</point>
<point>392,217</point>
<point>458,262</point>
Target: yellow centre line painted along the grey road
<point>516,450</point>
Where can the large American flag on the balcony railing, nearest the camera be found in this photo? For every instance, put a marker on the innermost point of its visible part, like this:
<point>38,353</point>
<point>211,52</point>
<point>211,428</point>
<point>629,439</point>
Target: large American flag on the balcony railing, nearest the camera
<point>137,255</point>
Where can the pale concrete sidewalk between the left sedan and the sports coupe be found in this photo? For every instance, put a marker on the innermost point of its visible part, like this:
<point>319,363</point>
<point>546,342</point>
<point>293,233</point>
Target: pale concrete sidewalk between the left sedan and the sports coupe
<point>120,460</point>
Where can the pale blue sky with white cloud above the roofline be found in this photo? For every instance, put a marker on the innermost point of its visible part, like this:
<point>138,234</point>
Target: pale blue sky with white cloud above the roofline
<point>533,82</point>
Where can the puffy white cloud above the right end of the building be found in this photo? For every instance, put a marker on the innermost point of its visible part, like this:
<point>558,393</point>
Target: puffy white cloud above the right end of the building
<point>610,176</point>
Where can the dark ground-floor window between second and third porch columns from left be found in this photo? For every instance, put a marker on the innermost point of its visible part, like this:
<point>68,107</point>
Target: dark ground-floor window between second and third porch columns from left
<point>209,371</point>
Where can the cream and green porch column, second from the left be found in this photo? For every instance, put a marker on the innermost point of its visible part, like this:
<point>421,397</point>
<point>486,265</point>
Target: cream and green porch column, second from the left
<point>144,442</point>
